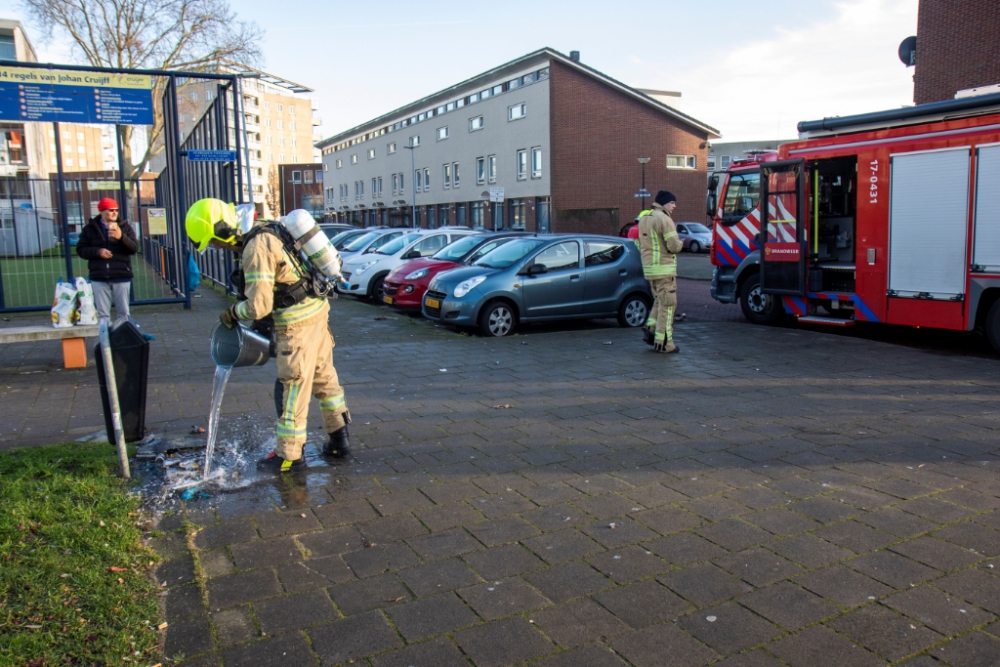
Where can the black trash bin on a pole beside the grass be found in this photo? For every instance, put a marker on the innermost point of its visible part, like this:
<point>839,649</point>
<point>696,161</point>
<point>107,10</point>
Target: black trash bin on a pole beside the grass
<point>130,356</point>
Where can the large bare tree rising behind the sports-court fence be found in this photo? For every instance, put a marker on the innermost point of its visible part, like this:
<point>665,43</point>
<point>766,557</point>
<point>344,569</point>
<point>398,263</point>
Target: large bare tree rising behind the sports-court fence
<point>189,35</point>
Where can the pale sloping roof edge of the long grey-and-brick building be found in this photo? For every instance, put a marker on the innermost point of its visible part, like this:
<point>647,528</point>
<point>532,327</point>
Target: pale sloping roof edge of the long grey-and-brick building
<point>547,51</point>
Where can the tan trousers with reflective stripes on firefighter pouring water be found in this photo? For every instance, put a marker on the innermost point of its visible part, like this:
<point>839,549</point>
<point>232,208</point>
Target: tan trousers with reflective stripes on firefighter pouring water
<point>305,369</point>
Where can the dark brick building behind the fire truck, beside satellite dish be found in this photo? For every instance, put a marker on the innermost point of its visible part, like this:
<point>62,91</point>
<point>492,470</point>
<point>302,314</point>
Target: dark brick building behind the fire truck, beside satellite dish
<point>958,48</point>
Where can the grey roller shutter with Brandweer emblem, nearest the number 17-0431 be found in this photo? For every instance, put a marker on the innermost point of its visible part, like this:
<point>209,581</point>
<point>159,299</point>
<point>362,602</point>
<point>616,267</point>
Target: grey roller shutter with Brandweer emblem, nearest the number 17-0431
<point>928,223</point>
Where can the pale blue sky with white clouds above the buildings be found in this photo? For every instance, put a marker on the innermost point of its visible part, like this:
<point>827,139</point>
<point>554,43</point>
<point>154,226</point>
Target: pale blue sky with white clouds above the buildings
<point>750,69</point>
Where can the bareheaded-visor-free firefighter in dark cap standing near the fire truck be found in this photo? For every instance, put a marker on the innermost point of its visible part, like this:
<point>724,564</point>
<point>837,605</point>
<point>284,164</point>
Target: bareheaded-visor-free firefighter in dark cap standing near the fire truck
<point>659,245</point>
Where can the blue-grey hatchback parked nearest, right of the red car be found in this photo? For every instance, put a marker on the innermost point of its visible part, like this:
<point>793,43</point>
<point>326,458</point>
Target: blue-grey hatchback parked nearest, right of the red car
<point>543,278</point>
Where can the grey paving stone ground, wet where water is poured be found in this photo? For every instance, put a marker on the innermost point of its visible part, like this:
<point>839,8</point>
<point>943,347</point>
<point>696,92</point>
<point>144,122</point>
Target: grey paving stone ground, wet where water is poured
<point>770,496</point>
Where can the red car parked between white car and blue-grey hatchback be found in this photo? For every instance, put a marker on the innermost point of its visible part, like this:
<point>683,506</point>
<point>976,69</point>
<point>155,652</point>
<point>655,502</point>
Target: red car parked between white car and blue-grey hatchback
<point>406,285</point>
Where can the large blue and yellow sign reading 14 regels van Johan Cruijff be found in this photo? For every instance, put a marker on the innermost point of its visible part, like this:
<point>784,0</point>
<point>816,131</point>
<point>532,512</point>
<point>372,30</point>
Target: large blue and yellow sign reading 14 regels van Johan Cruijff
<point>65,96</point>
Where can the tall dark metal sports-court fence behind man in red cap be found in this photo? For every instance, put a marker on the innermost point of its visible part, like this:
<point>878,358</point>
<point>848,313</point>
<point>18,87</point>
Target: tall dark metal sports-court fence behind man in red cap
<point>41,219</point>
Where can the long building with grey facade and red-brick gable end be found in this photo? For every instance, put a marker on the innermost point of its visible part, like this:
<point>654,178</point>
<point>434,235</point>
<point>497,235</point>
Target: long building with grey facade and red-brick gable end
<point>561,138</point>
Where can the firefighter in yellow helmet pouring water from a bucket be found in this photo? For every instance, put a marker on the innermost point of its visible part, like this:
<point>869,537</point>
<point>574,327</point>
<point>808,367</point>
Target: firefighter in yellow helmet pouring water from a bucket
<point>275,287</point>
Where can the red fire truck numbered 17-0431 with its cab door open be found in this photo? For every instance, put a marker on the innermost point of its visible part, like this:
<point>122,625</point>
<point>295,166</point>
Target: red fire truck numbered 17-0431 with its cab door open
<point>889,217</point>
